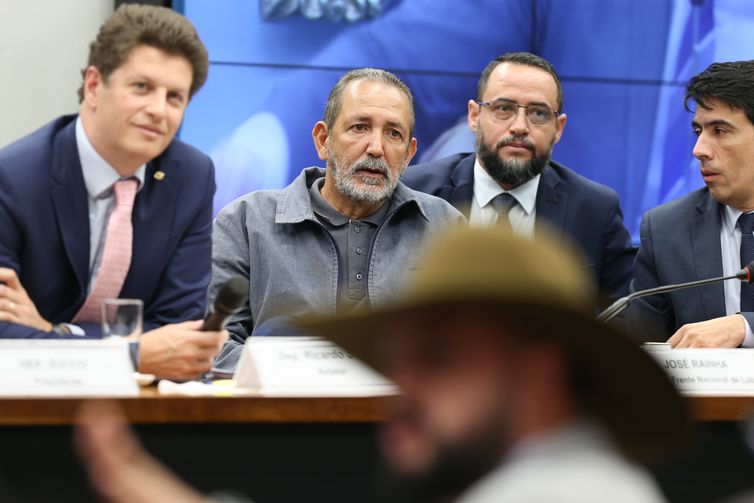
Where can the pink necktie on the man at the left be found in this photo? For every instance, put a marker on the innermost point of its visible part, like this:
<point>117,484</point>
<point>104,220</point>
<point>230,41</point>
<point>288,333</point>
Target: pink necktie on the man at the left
<point>116,254</point>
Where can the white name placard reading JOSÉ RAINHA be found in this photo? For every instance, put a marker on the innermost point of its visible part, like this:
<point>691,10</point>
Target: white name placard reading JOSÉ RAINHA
<point>709,371</point>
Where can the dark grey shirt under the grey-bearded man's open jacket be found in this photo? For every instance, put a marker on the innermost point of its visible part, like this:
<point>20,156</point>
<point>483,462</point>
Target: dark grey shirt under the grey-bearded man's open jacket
<point>353,239</point>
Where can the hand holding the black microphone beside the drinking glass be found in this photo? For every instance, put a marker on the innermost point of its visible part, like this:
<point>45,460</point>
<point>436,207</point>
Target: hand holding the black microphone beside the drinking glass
<point>180,351</point>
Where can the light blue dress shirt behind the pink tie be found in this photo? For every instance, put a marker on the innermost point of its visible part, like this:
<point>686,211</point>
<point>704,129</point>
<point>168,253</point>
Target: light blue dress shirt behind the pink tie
<point>99,178</point>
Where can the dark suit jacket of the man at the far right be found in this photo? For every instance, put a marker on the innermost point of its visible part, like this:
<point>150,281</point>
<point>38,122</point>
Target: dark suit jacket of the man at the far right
<point>680,242</point>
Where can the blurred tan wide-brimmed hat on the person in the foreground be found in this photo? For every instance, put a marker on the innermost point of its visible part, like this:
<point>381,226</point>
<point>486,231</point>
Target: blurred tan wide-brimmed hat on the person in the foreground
<point>546,288</point>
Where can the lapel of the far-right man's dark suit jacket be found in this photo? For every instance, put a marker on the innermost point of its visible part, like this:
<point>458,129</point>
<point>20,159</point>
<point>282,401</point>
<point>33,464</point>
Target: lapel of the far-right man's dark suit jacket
<point>708,260</point>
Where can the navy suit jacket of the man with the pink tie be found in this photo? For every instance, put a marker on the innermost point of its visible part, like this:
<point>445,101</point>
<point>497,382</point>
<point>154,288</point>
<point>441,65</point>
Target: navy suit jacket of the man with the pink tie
<point>44,229</point>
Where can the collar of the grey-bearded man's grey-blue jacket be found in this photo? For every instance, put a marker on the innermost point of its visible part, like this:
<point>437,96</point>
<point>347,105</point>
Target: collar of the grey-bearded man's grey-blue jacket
<point>295,204</point>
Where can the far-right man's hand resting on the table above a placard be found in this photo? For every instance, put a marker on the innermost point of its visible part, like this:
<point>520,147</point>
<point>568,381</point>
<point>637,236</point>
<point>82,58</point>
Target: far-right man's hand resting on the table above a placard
<point>724,332</point>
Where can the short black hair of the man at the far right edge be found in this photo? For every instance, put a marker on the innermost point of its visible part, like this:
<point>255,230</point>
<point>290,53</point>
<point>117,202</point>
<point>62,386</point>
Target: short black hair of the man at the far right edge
<point>731,82</point>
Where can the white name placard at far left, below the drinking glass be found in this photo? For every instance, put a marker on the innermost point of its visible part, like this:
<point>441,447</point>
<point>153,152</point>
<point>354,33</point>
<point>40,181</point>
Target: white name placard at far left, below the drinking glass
<point>66,368</point>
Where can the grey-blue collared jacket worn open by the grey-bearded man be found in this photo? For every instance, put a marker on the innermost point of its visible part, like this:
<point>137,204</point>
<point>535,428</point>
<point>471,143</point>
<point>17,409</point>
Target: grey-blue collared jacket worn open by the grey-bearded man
<point>273,238</point>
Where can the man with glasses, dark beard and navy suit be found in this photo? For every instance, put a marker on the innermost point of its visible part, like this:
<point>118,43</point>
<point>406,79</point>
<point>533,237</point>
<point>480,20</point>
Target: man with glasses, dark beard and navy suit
<point>517,118</point>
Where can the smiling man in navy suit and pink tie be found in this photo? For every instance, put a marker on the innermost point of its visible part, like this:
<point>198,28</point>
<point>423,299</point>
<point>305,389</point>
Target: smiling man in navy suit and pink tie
<point>89,203</point>
